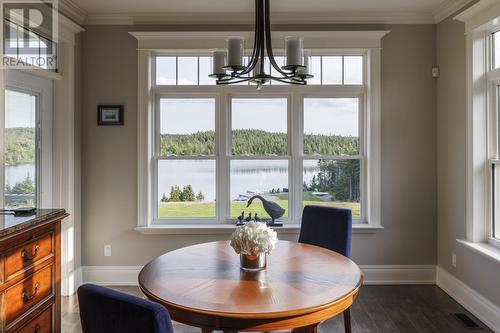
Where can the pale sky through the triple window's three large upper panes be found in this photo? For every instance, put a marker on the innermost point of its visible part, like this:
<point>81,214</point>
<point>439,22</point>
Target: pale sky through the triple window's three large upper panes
<point>324,116</point>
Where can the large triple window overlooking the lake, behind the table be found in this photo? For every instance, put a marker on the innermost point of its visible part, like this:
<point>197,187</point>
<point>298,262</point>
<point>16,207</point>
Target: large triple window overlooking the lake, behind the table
<point>215,147</point>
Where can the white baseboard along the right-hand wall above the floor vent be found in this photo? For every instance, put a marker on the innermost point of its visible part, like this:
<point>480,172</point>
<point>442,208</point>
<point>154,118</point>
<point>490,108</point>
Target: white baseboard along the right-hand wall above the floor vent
<point>479,306</point>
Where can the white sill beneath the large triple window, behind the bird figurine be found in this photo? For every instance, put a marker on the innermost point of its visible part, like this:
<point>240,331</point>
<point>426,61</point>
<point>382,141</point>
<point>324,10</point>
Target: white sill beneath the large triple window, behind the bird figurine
<point>227,229</point>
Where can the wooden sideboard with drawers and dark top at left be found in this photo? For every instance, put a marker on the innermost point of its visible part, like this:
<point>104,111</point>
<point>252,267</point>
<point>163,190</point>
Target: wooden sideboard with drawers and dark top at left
<point>30,272</point>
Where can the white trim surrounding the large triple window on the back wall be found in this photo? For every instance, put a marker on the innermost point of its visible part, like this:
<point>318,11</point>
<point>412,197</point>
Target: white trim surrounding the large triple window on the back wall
<point>151,43</point>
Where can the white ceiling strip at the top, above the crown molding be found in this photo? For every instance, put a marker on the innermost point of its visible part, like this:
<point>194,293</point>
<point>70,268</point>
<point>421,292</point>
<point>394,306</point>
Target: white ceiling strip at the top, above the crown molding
<point>233,6</point>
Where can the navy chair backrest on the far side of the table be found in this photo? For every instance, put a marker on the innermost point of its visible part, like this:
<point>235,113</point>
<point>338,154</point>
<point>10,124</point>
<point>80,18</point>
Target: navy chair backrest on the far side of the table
<point>327,227</point>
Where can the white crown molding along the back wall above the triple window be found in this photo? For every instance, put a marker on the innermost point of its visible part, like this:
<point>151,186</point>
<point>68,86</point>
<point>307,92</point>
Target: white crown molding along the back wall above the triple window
<point>248,18</point>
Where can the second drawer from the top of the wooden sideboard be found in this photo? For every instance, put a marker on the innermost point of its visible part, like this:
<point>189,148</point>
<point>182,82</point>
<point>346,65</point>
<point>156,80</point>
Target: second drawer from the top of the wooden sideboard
<point>27,293</point>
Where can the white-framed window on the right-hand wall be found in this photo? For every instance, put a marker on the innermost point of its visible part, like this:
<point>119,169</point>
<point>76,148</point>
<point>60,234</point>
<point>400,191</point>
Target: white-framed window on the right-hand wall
<point>483,202</point>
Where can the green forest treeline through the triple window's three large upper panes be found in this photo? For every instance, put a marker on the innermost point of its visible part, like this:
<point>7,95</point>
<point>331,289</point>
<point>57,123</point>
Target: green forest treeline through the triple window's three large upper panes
<point>256,142</point>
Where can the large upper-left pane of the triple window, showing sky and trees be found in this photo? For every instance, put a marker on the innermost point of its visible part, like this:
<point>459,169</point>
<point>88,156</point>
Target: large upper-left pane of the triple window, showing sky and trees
<point>187,126</point>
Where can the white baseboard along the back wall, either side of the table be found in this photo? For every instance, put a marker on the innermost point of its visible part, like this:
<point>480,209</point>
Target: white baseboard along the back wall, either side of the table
<point>374,274</point>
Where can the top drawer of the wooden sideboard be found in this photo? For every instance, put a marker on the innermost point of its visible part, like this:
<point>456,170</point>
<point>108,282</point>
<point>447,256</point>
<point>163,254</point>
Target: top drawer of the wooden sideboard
<point>28,254</point>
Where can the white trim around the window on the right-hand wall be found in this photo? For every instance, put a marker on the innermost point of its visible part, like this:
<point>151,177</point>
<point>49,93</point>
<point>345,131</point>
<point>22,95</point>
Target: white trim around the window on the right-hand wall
<point>481,20</point>
